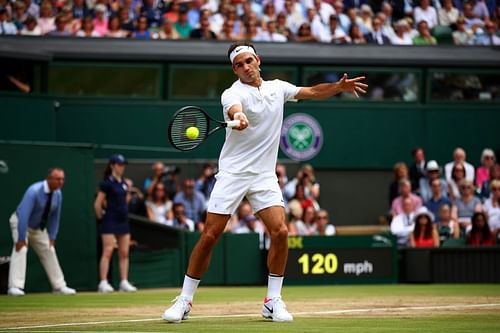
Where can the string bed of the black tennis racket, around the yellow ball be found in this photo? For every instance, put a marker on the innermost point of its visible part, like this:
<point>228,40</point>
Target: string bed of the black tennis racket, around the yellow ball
<point>182,121</point>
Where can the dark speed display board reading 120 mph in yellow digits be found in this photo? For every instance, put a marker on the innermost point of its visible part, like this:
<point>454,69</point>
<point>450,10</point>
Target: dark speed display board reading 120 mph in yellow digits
<point>342,259</point>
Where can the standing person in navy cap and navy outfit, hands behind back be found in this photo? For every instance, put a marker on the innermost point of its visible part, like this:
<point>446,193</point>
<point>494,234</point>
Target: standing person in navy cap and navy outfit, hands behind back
<point>111,210</point>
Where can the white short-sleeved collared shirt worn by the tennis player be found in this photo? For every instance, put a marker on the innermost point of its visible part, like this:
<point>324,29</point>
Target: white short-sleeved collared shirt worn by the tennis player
<point>255,149</point>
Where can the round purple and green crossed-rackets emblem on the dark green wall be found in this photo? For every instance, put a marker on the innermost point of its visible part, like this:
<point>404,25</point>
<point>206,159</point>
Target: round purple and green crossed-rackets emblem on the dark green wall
<point>301,137</point>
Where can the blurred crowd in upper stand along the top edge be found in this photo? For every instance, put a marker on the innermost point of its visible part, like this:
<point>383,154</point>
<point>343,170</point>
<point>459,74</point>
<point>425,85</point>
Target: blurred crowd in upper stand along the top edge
<point>405,22</point>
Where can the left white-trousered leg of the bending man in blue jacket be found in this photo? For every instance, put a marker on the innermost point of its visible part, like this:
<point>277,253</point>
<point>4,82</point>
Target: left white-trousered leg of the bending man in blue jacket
<point>17,269</point>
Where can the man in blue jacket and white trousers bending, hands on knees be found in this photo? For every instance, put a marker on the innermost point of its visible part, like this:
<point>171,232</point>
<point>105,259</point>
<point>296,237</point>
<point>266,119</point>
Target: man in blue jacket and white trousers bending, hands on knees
<point>36,221</point>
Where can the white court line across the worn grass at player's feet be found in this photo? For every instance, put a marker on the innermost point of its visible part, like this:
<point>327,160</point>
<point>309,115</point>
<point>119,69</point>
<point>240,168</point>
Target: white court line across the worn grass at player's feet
<point>315,313</point>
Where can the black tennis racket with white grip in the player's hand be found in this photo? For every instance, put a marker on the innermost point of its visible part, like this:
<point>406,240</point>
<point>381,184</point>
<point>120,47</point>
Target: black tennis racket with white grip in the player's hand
<point>193,116</point>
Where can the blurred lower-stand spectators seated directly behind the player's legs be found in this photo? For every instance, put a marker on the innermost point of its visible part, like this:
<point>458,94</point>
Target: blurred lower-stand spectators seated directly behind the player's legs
<point>182,204</point>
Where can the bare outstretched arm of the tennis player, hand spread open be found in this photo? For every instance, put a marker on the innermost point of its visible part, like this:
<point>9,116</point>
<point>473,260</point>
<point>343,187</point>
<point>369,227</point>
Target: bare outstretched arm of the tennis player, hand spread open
<point>327,90</point>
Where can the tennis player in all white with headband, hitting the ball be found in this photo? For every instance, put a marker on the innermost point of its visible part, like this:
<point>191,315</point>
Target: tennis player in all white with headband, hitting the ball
<point>247,169</point>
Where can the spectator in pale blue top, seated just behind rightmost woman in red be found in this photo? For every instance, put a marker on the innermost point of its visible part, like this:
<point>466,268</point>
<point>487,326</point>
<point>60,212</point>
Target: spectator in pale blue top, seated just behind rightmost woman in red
<point>465,206</point>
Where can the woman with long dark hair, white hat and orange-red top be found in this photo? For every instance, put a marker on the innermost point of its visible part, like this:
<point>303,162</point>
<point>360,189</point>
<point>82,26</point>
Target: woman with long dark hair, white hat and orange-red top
<point>425,233</point>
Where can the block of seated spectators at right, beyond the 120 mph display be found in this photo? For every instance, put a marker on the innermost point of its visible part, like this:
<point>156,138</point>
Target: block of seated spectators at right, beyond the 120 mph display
<point>432,206</point>
